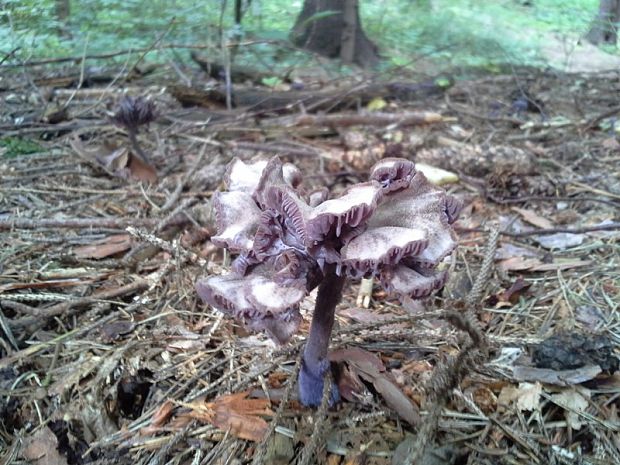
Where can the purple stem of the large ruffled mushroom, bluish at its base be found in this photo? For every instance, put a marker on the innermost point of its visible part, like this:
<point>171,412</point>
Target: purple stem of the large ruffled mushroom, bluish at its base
<point>315,362</point>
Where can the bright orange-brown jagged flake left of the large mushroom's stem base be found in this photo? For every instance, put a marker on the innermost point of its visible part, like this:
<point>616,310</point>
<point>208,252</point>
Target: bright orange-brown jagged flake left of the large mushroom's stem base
<point>234,413</point>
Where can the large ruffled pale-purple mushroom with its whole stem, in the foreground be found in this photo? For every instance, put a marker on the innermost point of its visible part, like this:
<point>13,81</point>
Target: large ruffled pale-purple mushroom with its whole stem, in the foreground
<point>395,227</point>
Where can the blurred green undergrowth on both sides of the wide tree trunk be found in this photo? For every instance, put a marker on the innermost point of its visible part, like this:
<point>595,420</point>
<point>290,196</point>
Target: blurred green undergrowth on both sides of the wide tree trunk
<point>475,33</point>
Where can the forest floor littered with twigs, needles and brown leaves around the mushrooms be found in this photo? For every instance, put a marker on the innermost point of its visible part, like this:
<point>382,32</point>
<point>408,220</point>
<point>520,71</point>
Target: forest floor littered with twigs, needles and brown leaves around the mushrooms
<point>108,356</point>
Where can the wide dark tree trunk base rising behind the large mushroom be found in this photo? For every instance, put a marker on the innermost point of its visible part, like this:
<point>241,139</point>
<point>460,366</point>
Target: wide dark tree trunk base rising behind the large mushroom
<point>333,29</point>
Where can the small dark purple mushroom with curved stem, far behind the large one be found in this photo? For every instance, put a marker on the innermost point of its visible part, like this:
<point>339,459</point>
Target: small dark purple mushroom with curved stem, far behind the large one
<point>133,112</point>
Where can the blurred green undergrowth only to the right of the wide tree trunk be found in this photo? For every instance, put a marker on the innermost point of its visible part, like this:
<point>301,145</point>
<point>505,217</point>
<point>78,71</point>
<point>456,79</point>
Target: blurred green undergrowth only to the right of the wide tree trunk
<point>474,33</point>
